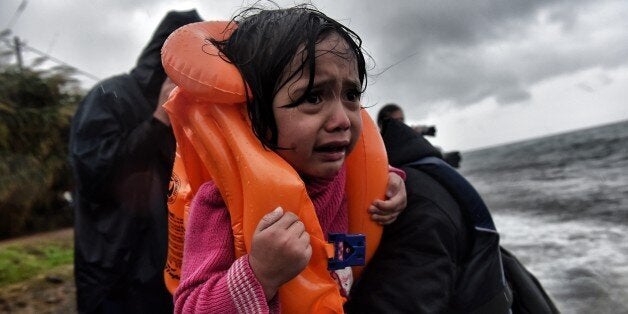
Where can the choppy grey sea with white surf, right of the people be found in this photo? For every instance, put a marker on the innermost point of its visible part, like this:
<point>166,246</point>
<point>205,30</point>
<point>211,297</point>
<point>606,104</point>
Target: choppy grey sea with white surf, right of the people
<point>560,204</point>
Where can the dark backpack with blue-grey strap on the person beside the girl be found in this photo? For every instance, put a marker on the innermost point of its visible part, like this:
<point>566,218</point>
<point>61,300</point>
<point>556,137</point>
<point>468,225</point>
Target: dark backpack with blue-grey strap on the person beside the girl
<point>521,288</point>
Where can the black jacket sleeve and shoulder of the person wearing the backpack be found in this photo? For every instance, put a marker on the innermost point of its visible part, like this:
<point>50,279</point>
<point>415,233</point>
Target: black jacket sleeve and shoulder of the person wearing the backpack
<point>415,267</point>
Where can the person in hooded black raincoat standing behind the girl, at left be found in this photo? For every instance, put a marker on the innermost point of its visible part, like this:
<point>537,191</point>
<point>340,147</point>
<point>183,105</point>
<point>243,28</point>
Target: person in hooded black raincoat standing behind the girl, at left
<point>122,151</point>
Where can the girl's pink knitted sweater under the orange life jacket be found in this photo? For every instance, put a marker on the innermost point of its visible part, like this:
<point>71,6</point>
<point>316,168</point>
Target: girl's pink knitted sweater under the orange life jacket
<point>213,280</point>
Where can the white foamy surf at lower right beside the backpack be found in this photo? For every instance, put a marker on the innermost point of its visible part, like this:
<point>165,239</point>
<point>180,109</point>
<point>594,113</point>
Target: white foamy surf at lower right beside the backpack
<point>582,264</point>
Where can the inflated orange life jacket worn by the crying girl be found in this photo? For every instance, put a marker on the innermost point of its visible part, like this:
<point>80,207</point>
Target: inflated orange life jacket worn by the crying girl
<point>215,142</point>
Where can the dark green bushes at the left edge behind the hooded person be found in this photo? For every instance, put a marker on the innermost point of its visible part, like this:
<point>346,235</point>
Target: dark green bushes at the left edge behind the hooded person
<point>36,107</point>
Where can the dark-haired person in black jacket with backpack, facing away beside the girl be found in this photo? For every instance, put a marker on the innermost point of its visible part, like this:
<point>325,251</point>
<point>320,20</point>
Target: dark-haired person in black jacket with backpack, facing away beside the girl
<point>442,254</point>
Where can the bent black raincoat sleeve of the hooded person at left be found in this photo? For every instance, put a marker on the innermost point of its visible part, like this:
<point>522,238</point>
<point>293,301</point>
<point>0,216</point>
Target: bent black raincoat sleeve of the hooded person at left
<point>112,135</point>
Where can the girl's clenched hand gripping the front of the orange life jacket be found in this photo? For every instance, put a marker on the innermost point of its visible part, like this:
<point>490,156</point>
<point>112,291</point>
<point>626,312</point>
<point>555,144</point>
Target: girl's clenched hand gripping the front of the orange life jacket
<point>280,250</point>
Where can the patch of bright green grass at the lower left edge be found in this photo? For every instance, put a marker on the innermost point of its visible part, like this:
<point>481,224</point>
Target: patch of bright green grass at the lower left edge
<point>21,262</point>
